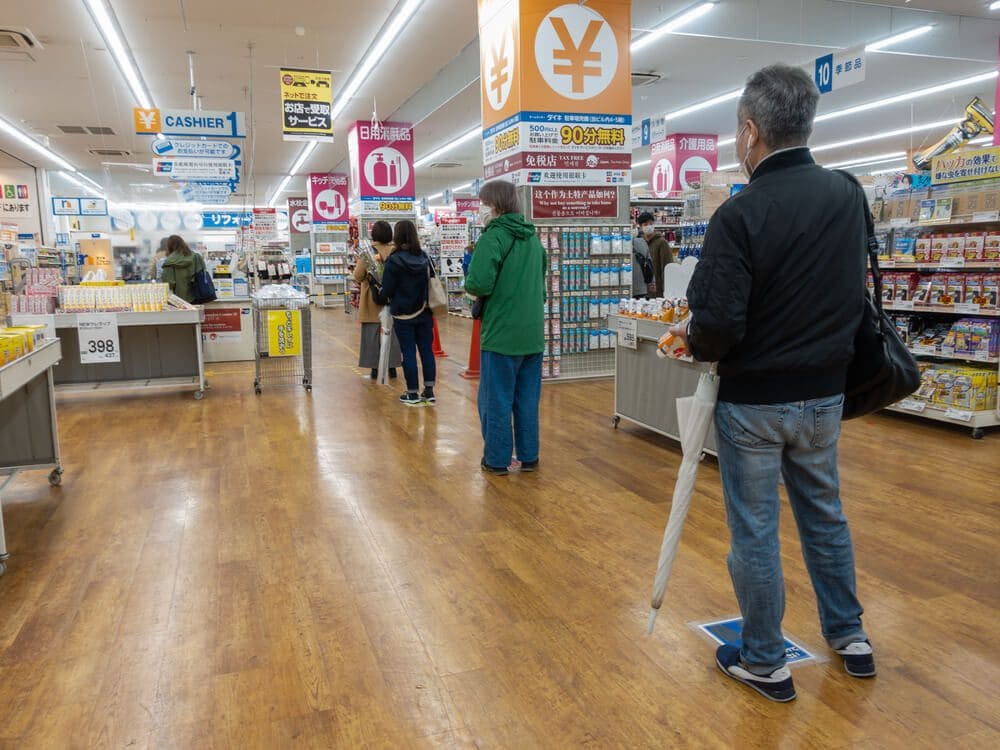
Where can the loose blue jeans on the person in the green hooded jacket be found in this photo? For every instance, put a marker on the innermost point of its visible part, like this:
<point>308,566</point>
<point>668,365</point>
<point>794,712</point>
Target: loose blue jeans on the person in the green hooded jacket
<point>509,387</point>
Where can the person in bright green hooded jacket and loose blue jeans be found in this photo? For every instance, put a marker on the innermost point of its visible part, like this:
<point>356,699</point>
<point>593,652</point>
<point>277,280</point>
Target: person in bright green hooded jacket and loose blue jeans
<point>508,269</point>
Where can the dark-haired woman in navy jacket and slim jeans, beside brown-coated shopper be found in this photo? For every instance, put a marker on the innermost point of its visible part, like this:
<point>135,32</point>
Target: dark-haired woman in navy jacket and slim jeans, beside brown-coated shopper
<point>404,288</point>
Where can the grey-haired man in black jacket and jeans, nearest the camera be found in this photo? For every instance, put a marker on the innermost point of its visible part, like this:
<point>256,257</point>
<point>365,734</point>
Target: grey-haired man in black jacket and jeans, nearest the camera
<point>776,300</point>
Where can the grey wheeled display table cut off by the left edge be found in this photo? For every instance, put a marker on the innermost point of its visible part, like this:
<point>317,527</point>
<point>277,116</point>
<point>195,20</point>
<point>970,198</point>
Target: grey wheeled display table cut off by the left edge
<point>29,434</point>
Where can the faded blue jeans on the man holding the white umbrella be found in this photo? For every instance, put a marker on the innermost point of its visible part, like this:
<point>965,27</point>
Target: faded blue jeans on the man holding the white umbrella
<point>797,441</point>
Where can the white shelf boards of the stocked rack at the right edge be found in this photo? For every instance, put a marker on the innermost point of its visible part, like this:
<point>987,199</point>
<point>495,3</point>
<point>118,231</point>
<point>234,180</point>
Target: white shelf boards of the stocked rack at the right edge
<point>978,421</point>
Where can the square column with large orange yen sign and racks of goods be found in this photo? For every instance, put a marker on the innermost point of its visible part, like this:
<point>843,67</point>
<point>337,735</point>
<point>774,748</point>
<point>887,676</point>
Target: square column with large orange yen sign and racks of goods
<point>557,122</point>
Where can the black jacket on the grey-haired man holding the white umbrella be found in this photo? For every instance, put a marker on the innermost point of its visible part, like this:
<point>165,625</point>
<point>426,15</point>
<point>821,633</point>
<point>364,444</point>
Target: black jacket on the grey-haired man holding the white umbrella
<point>779,291</point>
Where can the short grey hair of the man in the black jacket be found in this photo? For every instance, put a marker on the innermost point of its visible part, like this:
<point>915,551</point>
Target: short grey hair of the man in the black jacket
<point>782,101</point>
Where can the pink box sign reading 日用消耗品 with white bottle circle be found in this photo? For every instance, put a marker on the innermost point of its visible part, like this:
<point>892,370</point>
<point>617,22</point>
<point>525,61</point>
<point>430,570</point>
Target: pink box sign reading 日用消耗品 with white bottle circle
<point>381,155</point>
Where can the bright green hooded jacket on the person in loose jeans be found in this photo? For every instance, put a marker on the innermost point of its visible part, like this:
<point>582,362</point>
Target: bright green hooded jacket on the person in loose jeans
<point>513,321</point>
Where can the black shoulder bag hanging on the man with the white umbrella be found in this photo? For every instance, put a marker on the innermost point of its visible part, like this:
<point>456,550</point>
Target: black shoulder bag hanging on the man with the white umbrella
<point>882,371</point>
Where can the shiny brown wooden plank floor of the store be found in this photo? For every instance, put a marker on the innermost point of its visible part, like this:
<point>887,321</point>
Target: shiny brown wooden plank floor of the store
<point>334,571</point>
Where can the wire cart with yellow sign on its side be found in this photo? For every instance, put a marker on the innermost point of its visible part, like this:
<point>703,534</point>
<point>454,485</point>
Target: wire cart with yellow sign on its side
<point>283,354</point>
